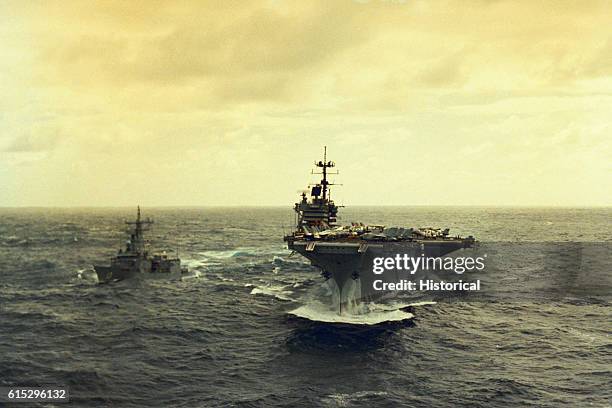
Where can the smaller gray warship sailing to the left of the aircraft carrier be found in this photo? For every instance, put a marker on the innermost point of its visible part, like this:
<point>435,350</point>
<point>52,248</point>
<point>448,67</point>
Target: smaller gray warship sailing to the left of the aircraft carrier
<point>135,259</point>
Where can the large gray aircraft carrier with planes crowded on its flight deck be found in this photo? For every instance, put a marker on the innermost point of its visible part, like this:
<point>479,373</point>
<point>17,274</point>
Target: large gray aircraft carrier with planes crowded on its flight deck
<point>345,253</point>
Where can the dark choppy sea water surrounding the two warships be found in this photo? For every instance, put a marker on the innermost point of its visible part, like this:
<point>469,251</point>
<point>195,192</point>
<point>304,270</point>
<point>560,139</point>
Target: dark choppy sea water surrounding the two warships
<point>538,335</point>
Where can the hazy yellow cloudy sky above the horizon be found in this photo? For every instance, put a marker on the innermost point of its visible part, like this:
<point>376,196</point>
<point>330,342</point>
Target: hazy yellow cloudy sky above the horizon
<point>189,103</point>
